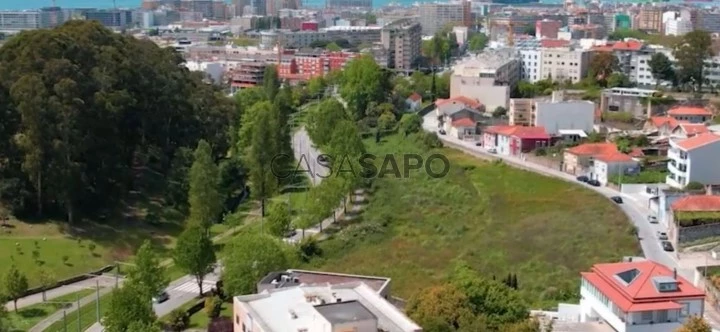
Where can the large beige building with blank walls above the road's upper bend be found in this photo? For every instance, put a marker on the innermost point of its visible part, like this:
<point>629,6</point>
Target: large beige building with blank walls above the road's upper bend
<point>488,77</point>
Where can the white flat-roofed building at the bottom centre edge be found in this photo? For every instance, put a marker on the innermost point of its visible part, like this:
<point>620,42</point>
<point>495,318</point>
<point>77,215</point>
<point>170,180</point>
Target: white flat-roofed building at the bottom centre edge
<point>319,307</point>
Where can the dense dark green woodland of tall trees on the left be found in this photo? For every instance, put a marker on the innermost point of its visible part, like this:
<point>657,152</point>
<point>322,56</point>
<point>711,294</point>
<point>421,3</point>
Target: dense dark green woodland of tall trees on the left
<point>84,109</point>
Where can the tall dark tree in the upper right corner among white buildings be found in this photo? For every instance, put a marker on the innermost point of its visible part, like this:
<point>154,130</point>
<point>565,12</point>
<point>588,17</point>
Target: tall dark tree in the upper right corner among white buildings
<point>691,54</point>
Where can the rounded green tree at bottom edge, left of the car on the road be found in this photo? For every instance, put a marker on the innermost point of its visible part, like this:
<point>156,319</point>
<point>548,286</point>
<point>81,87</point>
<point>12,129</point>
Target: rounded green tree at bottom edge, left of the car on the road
<point>127,306</point>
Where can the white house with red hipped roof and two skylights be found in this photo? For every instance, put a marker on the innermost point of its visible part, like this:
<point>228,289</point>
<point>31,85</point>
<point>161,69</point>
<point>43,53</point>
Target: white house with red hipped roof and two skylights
<point>638,296</point>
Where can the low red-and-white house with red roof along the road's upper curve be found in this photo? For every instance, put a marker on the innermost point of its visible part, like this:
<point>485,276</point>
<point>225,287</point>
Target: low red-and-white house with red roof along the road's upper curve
<point>515,140</point>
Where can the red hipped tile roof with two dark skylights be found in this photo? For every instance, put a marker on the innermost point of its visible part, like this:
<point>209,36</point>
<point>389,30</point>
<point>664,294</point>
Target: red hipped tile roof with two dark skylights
<point>640,294</point>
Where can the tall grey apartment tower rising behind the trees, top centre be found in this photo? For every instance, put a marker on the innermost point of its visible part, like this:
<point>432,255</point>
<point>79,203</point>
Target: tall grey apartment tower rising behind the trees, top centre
<point>402,40</point>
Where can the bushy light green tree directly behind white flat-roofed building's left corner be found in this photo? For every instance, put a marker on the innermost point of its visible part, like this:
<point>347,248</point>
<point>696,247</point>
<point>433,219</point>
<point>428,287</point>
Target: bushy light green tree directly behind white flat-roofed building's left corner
<point>249,257</point>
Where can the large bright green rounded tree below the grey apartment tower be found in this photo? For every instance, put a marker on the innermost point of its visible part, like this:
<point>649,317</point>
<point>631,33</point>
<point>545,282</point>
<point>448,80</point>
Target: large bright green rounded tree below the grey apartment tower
<point>363,82</point>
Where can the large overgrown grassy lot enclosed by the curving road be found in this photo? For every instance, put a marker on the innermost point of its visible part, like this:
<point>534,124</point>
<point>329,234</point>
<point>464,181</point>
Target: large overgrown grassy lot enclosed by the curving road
<point>499,219</point>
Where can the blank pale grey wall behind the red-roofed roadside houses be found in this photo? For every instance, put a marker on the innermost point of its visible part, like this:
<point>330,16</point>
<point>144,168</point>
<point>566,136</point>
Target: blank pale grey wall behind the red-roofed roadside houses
<point>565,115</point>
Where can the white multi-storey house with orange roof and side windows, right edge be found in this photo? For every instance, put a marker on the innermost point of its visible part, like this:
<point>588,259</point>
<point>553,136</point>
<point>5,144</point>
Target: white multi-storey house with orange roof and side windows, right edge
<point>694,159</point>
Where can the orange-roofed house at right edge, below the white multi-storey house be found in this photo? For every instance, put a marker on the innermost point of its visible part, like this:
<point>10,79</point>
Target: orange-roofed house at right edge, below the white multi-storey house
<point>694,217</point>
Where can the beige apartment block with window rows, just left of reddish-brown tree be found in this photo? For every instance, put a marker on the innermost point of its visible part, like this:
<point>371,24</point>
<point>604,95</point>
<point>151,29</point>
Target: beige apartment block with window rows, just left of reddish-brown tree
<point>565,63</point>
